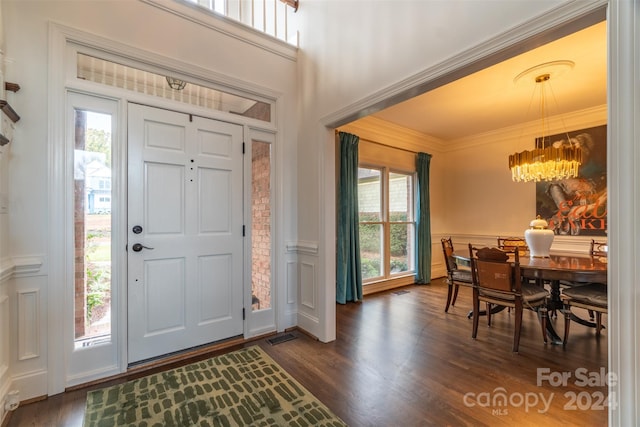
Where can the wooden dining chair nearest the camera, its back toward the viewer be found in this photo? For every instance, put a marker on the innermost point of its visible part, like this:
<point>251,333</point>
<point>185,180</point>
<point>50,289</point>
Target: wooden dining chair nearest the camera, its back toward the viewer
<point>497,281</point>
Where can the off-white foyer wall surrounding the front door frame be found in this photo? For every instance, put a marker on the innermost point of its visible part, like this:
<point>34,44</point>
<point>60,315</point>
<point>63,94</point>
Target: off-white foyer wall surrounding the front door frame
<point>190,42</point>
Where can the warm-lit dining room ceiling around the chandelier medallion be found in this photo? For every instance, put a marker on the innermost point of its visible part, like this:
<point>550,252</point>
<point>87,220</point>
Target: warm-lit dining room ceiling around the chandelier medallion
<point>490,99</point>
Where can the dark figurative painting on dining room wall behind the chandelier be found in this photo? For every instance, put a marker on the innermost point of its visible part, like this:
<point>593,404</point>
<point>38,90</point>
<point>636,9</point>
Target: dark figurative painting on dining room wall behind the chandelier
<point>577,206</point>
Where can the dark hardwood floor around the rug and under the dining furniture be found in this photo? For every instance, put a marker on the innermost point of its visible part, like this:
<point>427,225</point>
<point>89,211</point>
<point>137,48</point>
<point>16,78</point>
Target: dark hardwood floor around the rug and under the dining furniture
<point>399,360</point>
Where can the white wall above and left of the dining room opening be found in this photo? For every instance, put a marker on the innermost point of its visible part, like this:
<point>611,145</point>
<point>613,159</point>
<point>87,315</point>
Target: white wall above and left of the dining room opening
<point>350,52</point>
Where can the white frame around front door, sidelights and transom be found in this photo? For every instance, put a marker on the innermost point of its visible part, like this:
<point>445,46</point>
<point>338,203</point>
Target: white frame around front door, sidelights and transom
<point>62,43</point>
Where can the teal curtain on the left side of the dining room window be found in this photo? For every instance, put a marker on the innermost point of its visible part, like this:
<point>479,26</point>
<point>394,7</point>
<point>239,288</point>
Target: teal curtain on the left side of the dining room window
<point>348,273</point>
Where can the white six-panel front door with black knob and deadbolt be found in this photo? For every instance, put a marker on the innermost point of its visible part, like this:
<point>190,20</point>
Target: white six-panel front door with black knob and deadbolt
<point>185,231</point>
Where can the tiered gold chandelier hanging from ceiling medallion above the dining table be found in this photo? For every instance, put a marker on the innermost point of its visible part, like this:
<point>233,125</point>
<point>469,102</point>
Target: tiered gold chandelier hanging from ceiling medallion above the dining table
<point>550,162</point>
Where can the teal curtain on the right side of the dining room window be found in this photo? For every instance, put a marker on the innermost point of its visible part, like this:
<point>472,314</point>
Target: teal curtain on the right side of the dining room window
<point>423,221</point>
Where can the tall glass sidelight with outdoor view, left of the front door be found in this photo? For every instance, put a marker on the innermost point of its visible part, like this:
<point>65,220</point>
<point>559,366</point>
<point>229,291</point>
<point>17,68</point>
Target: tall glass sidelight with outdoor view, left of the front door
<point>92,227</point>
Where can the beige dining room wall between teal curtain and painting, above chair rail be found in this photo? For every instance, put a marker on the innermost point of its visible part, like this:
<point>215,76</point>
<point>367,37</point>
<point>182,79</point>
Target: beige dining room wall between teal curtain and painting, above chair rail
<point>481,198</point>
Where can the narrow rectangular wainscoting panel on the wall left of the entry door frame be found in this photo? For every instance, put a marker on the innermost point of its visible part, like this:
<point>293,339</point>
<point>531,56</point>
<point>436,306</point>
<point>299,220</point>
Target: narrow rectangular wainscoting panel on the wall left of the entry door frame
<point>28,321</point>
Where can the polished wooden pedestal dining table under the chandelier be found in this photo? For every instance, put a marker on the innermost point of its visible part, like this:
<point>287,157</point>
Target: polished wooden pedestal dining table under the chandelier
<point>559,269</point>
